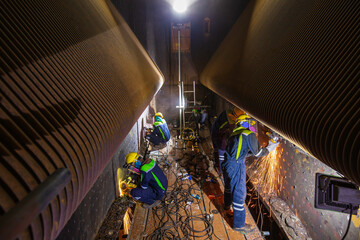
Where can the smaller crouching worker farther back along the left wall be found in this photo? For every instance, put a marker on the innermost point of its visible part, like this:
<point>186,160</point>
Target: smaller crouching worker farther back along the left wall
<point>160,133</point>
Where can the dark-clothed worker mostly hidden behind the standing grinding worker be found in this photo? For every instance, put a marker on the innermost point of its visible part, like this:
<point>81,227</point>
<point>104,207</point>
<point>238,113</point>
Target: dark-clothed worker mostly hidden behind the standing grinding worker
<point>221,130</point>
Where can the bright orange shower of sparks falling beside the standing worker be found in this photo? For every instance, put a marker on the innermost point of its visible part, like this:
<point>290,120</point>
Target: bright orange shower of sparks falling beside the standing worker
<point>264,172</point>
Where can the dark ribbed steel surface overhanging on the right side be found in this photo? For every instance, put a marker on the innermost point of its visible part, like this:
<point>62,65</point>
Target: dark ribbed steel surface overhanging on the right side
<point>295,66</point>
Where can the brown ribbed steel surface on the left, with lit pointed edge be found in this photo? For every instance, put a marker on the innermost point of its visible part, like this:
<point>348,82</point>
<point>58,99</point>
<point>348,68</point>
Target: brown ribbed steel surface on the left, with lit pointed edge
<point>74,80</point>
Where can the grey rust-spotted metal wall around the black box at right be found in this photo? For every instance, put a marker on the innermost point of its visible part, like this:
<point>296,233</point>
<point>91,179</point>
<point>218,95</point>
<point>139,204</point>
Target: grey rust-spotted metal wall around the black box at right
<point>296,186</point>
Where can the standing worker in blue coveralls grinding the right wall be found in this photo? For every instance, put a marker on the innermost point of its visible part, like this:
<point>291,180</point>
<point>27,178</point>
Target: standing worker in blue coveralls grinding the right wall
<point>241,141</point>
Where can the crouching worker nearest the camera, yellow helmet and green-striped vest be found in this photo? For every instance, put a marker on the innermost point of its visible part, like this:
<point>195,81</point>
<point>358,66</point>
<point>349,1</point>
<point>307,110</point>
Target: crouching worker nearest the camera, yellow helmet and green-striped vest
<point>153,181</point>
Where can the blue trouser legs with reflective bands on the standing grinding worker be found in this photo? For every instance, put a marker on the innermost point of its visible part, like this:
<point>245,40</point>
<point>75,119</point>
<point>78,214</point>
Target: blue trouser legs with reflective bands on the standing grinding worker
<point>235,189</point>
